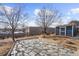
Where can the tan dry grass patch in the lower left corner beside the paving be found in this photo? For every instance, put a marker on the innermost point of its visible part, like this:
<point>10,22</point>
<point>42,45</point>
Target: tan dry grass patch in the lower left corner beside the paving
<point>4,48</point>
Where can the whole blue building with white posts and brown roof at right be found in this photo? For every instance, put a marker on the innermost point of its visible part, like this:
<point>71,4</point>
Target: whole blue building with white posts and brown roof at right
<point>71,28</point>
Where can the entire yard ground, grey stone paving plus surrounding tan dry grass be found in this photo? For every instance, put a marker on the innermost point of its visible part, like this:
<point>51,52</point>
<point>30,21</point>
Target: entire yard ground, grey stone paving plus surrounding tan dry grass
<point>49,45</point>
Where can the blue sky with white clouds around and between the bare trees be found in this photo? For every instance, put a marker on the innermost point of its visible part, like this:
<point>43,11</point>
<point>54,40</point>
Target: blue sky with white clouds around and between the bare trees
<point>69,11</point>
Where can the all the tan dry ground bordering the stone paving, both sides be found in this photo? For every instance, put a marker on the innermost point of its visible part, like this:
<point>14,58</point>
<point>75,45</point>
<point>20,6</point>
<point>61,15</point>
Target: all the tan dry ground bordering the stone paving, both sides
<point>67,42</point>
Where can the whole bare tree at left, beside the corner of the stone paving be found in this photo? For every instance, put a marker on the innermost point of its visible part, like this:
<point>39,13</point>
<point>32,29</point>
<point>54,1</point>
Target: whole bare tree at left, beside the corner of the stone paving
<point>12,18</point>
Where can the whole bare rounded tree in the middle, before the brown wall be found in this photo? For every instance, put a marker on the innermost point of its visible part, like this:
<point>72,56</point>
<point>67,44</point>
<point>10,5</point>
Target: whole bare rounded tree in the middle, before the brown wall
<point>46,17</point>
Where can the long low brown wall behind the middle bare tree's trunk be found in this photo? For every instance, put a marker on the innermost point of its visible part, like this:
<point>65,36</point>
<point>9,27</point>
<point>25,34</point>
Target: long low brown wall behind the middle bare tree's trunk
<point>38,30</point>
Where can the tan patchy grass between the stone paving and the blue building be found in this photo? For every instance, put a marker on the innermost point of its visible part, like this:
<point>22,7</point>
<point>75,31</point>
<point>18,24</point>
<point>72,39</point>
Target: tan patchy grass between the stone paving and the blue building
<point>65,41</point>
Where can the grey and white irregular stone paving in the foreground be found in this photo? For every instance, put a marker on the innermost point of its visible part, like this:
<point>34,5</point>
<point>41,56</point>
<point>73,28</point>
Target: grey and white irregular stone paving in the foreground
<point>36,47</point>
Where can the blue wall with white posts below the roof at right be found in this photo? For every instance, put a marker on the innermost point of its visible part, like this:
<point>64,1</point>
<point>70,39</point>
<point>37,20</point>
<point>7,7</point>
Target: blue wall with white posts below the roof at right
<point>66,31</point>
